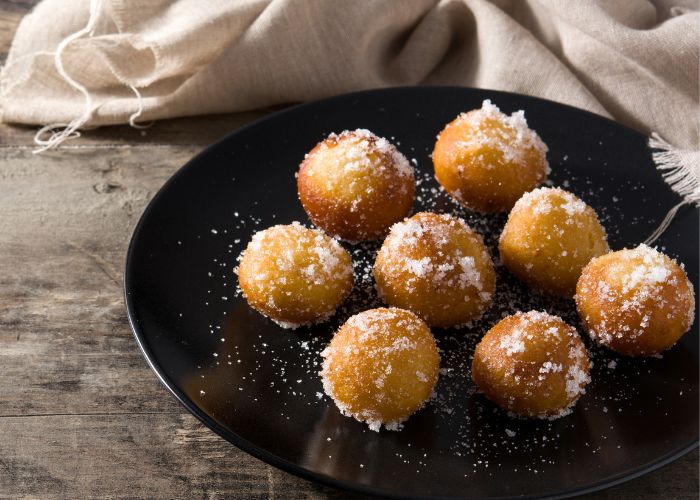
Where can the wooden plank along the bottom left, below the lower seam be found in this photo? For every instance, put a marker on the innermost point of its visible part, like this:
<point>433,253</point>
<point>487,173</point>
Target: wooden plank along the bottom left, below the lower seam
<point>134,456</point>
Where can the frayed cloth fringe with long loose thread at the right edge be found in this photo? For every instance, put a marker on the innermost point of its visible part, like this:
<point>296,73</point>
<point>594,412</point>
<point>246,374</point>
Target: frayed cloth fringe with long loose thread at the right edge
<point>681,171</point>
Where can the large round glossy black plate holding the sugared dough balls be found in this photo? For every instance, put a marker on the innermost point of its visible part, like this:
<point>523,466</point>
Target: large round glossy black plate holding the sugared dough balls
<point>257,385</point>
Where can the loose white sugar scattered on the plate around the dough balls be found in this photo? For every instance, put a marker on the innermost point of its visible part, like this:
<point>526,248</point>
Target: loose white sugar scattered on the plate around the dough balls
<point>261,366</point>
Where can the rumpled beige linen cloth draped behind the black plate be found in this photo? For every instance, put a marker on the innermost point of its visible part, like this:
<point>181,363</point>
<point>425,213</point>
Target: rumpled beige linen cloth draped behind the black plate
<point>636,61</point>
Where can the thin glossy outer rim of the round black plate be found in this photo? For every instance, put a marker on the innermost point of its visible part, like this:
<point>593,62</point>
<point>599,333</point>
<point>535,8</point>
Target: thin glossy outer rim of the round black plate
<point>291,467</point>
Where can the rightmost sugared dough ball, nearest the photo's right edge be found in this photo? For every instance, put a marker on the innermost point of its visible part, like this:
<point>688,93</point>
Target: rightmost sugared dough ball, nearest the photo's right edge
<point>636,302</point>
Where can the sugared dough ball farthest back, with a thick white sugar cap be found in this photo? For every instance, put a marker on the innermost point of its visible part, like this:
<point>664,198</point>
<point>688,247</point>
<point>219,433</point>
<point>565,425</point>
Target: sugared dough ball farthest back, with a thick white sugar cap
<point>486,160</point>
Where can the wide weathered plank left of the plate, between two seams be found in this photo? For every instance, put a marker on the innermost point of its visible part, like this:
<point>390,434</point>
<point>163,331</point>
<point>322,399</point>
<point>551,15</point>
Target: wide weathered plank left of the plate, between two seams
<point>66,344</point>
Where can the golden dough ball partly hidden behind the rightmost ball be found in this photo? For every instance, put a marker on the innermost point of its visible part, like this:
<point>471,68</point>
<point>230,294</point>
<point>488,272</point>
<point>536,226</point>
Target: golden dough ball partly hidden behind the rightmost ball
<point>550,235</point>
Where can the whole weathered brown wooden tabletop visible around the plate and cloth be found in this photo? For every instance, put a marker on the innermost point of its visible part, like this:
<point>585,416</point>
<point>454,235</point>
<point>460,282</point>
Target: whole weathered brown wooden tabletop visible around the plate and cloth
<point>81,414</point>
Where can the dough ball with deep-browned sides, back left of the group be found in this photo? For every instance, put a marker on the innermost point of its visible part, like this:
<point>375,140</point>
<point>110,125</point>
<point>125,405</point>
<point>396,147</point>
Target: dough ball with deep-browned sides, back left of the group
<point>355,185</point>
